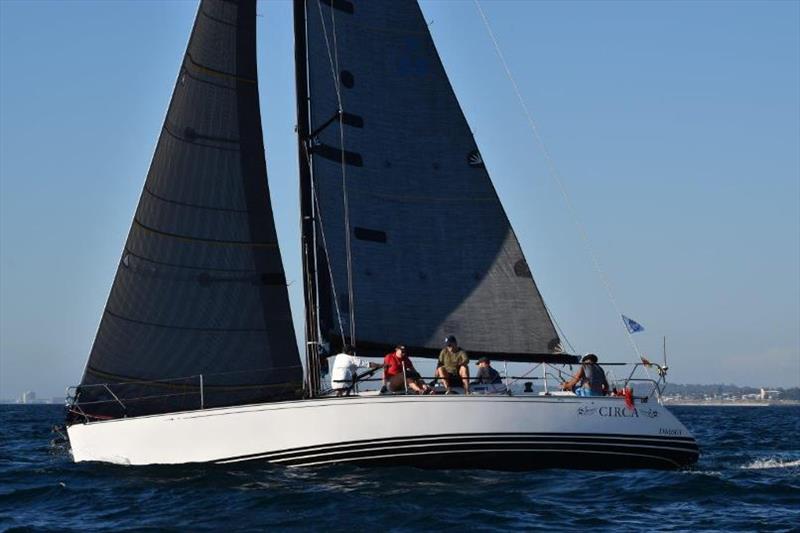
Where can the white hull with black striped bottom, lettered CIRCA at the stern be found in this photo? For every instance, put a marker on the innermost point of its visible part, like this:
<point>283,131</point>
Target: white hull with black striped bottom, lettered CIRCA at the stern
<point>504,432</point>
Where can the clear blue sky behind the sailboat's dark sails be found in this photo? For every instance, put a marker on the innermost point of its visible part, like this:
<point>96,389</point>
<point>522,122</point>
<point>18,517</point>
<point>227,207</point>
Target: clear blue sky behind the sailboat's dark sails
<point>676,126</point>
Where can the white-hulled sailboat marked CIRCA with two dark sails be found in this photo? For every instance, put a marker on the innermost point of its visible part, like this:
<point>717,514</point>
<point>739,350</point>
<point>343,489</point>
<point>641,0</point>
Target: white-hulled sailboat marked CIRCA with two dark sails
<point>404,239</point>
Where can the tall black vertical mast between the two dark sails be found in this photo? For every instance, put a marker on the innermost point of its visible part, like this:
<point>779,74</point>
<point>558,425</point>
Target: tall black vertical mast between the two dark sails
<point>307,214</point>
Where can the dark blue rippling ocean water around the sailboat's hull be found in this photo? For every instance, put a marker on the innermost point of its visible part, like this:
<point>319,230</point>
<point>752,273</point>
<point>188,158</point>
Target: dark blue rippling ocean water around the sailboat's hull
<point>747,479</point>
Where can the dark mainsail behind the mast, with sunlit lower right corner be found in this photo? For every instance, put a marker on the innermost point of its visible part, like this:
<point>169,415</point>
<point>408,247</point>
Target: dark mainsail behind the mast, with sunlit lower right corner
<point>432,250</point>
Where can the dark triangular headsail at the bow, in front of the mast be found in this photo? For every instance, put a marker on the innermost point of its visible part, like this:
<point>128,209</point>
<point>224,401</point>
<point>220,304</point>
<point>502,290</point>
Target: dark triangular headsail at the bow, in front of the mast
<point>200,288</point>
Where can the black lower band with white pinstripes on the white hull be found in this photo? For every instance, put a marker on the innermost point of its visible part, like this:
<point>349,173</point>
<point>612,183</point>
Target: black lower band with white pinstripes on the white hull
<point>498,452</point>
